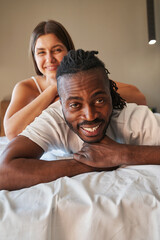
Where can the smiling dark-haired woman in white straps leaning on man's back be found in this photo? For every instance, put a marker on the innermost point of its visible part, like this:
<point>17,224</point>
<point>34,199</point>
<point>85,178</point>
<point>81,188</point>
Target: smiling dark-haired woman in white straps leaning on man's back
<point>50,42</point>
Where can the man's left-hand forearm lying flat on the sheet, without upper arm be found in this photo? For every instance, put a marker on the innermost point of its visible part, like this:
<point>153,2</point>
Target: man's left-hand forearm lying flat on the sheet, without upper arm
<point>21,173</point>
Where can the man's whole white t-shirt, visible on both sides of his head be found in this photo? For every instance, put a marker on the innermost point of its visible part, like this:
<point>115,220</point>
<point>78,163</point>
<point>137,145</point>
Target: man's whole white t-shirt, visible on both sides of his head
<point>134,124</point>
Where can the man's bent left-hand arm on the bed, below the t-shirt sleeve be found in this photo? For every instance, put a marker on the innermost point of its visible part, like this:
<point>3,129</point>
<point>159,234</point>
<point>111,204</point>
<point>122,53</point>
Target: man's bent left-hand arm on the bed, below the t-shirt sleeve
<point>20,166</point>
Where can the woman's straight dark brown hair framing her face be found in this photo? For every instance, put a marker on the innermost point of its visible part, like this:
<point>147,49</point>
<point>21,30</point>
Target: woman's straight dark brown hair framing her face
<point>47,27</point>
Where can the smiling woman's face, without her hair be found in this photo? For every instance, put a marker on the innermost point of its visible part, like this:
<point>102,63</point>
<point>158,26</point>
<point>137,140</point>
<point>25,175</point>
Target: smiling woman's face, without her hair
<point>49,52</point>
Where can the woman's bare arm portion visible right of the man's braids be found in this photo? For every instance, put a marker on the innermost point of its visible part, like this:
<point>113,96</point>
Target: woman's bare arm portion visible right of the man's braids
<point>131,93</point>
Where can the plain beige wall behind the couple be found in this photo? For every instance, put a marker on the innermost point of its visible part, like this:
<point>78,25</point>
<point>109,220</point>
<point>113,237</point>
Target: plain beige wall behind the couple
<point>116,28</point>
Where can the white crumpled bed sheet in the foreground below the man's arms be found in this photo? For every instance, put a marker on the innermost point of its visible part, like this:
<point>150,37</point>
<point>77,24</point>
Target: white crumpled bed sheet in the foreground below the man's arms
<point>119,205</point>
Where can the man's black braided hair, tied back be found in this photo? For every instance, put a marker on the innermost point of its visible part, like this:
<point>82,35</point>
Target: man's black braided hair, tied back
<point>79,60</point>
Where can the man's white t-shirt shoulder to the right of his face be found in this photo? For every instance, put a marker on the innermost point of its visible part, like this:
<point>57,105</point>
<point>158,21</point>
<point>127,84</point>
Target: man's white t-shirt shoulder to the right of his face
<point>135,124</point>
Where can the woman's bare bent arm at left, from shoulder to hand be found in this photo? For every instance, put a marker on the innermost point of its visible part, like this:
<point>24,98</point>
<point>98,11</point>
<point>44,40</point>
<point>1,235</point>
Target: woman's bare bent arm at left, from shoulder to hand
<point>25,105</point>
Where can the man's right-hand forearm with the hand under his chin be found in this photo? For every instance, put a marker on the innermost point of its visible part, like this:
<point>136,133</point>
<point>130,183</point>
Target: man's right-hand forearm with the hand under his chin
<point>109,153</point>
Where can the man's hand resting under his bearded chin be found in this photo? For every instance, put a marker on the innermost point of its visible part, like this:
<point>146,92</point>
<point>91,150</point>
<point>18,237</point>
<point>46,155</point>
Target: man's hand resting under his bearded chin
<point>104,154</point>
